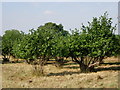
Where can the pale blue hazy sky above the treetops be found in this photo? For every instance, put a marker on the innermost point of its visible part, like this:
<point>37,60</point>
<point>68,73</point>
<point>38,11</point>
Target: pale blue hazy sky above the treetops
<point>24,16</point>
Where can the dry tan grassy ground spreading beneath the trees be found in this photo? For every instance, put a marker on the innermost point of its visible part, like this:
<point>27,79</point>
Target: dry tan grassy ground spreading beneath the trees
<point>19,75</point>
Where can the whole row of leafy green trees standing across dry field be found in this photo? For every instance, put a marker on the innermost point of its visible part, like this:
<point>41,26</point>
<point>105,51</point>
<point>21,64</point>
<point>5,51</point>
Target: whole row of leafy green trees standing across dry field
<point>87,46</point>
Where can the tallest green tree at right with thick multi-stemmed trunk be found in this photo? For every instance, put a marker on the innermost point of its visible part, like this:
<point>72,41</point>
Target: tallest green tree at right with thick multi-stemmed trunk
<point>94,43</point>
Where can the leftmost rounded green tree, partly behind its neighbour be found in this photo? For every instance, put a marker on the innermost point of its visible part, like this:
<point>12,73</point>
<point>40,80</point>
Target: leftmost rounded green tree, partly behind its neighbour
<point>8,40</point>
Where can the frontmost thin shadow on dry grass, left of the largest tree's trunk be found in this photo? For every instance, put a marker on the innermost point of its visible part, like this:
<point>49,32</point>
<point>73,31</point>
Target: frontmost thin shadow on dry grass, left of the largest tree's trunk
<point>63,73</point>
